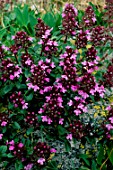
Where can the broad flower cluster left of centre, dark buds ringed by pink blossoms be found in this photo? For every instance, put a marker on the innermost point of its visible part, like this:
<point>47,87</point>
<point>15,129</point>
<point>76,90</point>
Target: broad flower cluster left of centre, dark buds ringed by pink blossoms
<point>40,75</point>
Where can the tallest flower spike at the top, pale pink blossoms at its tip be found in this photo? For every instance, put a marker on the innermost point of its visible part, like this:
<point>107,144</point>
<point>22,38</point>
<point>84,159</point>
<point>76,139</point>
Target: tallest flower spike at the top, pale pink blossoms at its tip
<point>69,22</point>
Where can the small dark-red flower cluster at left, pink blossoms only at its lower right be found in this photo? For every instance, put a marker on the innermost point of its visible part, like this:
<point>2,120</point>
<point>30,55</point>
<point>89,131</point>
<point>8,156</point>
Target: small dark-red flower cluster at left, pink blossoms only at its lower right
<point>17,99</point>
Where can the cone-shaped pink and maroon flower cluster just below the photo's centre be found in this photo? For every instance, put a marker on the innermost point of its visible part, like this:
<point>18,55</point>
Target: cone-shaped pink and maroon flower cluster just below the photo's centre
<point>52,110</point>
